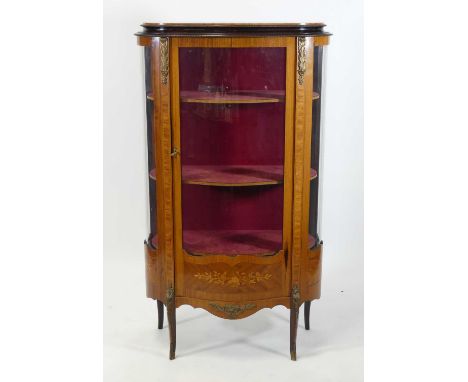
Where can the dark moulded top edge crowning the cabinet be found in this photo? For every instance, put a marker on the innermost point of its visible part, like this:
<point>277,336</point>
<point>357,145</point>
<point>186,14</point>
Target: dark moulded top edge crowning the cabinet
<point>238,29</point>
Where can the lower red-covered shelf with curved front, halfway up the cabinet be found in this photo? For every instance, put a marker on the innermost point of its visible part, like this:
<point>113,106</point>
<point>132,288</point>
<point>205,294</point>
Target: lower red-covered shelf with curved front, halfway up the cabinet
<point>232,176</point>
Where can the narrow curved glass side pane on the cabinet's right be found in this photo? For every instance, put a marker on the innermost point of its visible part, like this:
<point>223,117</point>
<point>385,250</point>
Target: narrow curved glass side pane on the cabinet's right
<point>316,153</point>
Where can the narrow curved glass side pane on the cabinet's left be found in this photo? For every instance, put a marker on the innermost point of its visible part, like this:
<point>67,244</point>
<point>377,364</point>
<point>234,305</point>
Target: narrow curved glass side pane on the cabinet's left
<point>150,147</point>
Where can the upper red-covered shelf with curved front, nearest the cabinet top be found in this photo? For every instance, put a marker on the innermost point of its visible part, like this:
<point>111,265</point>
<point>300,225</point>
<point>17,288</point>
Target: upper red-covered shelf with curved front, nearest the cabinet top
<point>252,96</point>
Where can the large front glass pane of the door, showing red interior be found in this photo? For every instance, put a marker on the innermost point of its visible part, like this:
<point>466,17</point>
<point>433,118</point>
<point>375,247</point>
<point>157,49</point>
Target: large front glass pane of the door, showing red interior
<point>232,149</point>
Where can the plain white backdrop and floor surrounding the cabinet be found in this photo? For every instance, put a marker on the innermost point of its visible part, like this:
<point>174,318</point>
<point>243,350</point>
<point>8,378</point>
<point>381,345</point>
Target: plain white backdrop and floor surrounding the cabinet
<point>333,348</point>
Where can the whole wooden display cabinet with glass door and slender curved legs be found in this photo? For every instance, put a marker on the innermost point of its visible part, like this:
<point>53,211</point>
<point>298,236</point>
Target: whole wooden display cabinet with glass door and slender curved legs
<point>233,132</point>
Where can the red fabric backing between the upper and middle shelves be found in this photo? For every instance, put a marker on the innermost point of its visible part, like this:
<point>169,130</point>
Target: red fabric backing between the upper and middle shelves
<point>238,134</point>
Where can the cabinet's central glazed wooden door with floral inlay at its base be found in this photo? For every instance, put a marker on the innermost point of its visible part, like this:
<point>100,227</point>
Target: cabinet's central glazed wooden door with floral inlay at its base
<point>232,113</point>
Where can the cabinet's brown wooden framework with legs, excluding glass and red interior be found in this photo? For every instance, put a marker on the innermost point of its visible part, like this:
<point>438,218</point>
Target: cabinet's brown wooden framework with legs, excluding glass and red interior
<point>289,277</point>
